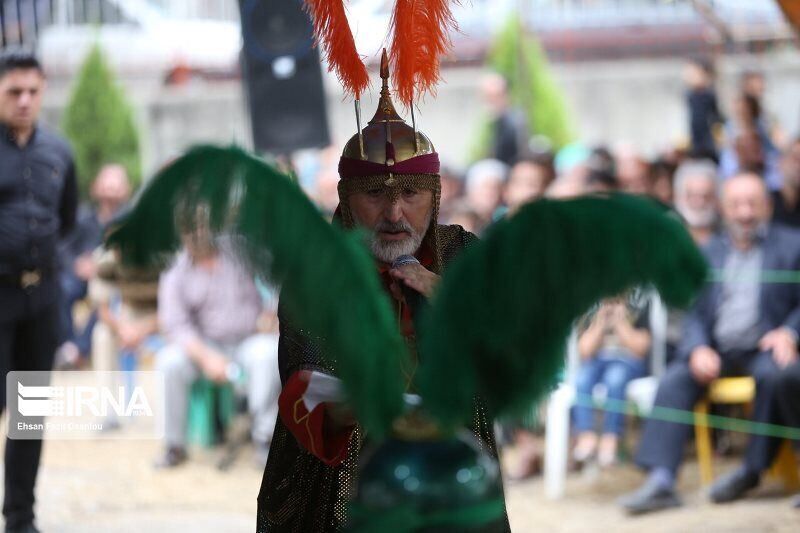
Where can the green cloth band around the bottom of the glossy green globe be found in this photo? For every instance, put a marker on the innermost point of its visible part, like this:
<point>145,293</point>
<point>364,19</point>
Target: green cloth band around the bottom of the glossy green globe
<point>406,517</point>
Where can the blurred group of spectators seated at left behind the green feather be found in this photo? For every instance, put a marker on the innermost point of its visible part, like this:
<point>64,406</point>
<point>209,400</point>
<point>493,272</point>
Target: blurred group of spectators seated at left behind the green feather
<point>205,316</point>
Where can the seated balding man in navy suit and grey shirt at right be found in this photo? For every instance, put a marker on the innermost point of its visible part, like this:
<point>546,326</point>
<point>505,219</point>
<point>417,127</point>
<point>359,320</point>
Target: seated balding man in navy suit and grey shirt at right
<point>738,326</point>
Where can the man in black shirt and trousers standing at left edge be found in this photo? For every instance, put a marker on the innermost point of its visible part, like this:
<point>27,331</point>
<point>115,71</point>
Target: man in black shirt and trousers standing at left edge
<point>38,200</point>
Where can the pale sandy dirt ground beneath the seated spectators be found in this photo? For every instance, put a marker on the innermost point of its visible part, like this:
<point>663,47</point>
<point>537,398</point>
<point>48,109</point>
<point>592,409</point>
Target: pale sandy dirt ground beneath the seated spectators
<point>103,486</point>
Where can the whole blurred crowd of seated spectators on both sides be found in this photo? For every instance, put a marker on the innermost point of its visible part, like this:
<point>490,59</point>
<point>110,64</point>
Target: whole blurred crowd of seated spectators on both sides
<point>206,316</point>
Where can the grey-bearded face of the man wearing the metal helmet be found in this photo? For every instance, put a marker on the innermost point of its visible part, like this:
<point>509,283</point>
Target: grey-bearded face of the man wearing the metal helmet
<point>397,226</point>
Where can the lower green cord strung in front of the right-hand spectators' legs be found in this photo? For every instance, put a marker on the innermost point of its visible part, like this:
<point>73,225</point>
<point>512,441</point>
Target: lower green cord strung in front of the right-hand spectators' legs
<point>679,416</point>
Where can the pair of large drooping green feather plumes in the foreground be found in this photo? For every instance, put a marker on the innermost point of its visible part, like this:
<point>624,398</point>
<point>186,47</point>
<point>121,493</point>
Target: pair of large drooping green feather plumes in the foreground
<point>498,323</point>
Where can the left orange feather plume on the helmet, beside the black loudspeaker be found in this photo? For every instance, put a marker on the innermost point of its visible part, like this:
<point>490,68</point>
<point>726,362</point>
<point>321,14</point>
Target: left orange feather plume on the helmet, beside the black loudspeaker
<point>332,31</point>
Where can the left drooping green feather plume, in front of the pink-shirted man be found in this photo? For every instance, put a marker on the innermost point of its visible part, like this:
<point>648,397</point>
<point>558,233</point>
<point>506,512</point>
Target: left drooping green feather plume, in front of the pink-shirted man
<point>328,281</point>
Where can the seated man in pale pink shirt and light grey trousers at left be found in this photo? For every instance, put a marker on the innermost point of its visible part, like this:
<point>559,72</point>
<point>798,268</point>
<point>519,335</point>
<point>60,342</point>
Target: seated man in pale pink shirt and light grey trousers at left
<point>209,306</point>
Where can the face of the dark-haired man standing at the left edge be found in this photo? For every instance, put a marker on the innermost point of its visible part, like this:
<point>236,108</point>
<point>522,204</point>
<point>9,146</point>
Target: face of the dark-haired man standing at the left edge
<point>21,98</point>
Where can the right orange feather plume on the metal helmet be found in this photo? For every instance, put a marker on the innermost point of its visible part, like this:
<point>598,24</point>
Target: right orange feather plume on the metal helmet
<point>420,35</point>
